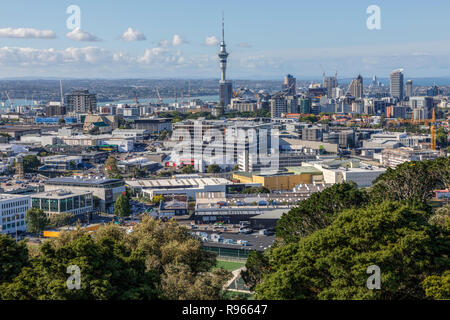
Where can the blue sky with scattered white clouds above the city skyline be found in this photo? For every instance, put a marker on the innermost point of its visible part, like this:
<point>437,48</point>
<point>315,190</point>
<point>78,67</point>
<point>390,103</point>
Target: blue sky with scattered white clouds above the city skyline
<point>265,39</point>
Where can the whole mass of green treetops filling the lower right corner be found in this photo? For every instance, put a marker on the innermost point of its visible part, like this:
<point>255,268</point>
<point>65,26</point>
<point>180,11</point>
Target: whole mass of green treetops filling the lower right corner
<point>327,243</point>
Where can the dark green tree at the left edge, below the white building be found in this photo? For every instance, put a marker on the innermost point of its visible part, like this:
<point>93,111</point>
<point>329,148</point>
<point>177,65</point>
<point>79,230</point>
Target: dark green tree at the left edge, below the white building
<point>13,257</point>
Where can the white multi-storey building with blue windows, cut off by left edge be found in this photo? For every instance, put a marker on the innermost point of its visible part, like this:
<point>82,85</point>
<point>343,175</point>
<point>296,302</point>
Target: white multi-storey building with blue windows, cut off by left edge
<point>12,212</point>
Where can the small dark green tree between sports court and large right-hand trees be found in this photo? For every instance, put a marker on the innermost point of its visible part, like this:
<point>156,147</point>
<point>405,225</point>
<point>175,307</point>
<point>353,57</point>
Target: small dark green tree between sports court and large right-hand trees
<point>257,265</point>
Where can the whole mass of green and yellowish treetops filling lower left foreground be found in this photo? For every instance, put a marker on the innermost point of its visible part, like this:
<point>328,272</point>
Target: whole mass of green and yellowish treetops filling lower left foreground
<point>156,260</point>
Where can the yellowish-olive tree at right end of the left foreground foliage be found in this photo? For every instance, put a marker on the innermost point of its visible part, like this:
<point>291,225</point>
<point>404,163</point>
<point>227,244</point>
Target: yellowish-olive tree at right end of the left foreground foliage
<point>179,257</point>
